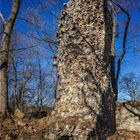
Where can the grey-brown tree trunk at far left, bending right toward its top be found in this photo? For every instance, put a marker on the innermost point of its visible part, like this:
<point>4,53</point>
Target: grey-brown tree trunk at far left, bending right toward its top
<point>4,57</point>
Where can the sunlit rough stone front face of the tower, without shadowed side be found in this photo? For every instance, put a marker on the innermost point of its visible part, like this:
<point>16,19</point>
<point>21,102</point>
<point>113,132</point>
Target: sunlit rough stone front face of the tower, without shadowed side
<point>82,58</point>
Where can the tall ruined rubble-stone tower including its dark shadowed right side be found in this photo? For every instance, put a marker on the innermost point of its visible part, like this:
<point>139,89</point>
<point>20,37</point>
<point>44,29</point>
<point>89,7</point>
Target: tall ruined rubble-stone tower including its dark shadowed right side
<point>84,38</point>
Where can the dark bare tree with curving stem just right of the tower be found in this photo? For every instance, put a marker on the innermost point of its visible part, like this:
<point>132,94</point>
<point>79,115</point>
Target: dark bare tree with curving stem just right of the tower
<point>115,71</point>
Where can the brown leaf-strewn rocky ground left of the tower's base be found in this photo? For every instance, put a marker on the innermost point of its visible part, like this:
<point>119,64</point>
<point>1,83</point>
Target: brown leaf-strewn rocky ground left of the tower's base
<point>21,124</point>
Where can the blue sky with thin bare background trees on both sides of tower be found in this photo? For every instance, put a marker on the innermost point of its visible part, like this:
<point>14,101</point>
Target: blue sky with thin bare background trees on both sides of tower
<point>32,75</point>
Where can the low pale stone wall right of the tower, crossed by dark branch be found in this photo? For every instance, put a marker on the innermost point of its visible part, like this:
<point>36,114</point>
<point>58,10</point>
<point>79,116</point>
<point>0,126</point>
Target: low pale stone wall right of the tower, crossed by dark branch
<point>128,116</point>
